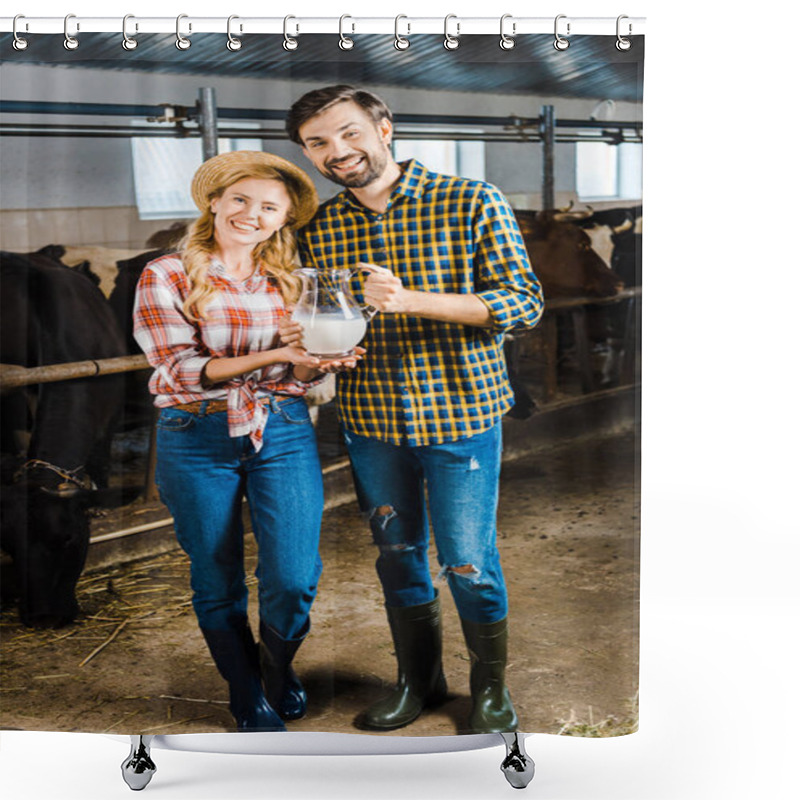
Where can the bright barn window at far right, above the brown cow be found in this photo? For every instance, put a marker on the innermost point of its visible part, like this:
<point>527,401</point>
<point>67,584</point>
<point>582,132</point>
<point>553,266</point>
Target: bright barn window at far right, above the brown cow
<point>608,172</point>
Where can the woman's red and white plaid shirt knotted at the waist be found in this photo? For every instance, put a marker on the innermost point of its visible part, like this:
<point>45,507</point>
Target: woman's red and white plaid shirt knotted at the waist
<point>241,318</point>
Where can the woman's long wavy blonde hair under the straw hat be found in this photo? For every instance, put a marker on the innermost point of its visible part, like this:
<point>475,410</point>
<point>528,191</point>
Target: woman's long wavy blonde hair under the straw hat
<point>276,257</point>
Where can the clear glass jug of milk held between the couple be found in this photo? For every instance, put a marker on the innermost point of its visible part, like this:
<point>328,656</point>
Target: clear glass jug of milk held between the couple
<point>333,321</point>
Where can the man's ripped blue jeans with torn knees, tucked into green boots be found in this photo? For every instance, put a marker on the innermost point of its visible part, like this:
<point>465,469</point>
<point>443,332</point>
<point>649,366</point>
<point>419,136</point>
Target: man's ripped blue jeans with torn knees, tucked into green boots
<point>462,479</point>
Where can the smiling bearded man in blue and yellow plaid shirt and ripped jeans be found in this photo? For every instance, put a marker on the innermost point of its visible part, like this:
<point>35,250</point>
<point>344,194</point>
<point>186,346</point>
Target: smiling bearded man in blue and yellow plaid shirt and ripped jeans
<point>446,265</point>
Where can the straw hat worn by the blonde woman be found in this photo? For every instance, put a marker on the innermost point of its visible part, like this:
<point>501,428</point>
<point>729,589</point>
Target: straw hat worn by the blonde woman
<point>214,172</point>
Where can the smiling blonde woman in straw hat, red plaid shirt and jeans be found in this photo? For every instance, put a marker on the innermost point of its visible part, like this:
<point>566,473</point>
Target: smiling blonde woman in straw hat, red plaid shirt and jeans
<point>207,320</point>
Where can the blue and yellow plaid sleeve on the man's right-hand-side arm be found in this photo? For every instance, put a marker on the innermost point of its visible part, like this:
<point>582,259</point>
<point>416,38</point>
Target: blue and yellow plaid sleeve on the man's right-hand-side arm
<point>504,277</point>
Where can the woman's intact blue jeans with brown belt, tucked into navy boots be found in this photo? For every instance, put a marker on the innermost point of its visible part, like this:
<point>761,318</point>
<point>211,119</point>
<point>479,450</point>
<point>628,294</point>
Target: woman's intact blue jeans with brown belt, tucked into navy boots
<point>202,475</point>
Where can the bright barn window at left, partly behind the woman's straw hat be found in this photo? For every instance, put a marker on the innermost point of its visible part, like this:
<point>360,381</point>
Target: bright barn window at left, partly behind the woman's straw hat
<point>163,170</point>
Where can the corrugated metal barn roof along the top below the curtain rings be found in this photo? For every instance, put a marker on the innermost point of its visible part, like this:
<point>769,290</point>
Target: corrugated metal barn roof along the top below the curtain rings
<point>591,67</point>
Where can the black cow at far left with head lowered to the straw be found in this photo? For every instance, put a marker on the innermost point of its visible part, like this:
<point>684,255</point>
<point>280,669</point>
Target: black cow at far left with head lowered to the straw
<point>52,314</point>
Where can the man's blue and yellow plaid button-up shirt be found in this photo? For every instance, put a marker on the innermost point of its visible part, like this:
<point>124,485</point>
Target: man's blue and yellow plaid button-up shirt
<point>421,381</point>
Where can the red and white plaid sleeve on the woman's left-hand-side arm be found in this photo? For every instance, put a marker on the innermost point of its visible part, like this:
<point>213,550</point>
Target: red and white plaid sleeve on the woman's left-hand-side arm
<point>167,337</point>
